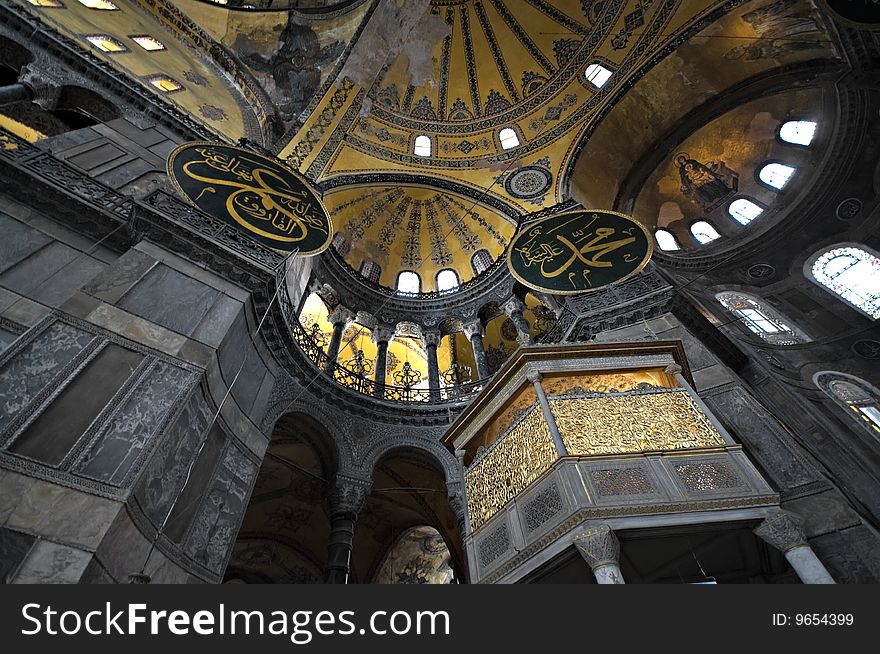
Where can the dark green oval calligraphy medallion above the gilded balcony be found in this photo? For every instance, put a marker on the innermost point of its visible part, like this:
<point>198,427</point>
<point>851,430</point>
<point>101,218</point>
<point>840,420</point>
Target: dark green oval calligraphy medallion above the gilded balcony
<point>579,251</point>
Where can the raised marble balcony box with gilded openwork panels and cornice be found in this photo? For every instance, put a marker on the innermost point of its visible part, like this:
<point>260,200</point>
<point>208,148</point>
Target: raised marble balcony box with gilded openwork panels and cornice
<point>567,437</point>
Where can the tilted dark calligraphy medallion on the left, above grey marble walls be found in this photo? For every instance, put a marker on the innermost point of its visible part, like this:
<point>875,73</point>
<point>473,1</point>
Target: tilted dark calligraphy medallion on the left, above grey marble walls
<point>269,202</point>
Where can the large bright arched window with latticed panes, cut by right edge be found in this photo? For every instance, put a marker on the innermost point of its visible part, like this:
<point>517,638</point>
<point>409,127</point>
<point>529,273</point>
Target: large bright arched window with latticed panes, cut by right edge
<point>850,272</point>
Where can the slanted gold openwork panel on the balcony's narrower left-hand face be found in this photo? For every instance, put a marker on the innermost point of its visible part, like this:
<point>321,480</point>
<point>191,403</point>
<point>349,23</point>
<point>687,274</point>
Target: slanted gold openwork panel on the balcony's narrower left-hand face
<point>515,461</point>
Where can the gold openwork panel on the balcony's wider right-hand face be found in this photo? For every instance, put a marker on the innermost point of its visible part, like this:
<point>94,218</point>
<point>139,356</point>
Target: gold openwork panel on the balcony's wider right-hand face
<point>626,424</point>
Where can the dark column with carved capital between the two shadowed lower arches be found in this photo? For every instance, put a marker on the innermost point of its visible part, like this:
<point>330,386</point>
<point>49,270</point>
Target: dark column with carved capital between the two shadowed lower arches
<point>345,501</point>
